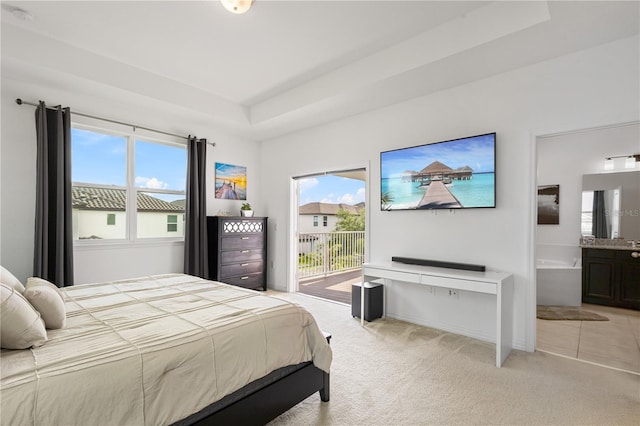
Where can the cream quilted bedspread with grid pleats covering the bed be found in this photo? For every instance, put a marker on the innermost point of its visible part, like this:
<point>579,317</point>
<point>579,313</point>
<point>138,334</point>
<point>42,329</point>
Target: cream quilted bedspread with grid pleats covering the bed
<point>152,351</point>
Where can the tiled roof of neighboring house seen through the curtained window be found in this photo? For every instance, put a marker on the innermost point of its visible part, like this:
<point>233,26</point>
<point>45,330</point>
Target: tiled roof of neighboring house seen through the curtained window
<point>90,198</point>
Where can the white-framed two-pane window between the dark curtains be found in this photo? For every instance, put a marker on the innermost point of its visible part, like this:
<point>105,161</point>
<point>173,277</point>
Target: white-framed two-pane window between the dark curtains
<point>139,182</point>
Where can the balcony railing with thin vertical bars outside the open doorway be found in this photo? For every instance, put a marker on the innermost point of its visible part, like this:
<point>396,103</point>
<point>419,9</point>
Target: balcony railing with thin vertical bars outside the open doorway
<point>324,253</point>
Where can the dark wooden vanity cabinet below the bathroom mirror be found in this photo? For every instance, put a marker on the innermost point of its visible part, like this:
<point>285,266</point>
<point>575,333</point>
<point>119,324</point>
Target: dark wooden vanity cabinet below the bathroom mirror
<point>611,277</point>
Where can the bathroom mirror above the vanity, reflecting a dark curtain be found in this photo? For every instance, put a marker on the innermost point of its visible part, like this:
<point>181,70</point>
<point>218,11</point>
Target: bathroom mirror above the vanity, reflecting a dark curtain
<point>611,205</point>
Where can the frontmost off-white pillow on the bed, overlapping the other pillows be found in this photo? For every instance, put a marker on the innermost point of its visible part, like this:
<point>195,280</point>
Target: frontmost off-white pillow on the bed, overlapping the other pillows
<point>20,324</point>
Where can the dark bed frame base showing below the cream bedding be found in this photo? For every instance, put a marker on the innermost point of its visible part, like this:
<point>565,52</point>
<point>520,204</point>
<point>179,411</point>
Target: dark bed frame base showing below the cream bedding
<point>267,402</point>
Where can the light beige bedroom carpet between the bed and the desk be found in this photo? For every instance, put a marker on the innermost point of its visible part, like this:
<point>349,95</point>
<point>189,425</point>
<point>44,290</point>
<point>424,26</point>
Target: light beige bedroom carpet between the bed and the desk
<point>395,373</point>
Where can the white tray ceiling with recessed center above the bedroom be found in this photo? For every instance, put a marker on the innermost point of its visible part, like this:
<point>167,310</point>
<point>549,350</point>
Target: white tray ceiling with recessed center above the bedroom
<point>287,65</point>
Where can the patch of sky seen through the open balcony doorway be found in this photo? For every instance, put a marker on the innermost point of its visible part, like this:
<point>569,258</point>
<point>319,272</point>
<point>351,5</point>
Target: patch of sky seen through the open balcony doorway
<point>331,189</point>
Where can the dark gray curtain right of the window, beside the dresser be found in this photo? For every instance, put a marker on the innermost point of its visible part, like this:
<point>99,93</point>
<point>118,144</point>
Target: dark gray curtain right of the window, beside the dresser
<point>195,227</point>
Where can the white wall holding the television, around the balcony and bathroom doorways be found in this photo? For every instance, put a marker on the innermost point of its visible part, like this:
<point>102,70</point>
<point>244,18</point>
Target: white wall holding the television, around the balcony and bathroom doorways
<point>596,87</point>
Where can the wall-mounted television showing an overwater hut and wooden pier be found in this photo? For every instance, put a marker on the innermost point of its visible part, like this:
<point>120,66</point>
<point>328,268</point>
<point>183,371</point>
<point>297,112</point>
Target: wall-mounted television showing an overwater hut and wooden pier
<point>453,174</point>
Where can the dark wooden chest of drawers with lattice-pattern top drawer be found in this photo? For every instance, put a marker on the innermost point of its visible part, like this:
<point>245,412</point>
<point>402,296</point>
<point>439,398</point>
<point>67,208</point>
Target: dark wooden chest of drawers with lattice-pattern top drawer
<point>238,251</point>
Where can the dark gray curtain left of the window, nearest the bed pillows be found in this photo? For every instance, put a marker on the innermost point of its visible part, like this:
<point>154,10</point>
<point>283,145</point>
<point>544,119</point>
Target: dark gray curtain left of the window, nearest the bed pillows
<point>53,250</point>
